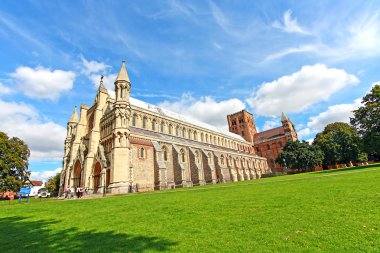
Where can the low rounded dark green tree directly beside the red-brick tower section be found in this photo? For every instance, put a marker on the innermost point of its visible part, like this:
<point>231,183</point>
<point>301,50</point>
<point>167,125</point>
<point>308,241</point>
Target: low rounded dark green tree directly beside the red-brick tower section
<point>300,156</point>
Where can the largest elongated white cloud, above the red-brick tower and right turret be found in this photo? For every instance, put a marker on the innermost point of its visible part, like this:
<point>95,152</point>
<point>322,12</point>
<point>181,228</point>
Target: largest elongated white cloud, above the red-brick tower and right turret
<point>296,92</point>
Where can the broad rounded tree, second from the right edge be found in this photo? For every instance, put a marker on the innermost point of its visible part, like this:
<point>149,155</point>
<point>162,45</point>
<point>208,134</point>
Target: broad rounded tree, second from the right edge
<point>340,143</point>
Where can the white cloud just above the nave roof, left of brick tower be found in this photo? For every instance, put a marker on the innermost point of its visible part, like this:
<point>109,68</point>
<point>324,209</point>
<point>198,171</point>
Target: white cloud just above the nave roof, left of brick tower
<point>205,109</point>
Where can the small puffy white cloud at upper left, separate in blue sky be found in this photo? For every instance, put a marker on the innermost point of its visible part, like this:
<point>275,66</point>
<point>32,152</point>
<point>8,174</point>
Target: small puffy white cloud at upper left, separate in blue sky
<point>43,83</point>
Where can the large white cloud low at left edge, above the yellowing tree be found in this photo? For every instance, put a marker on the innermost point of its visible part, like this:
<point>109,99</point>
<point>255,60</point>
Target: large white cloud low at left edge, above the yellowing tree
<point>45,139</point>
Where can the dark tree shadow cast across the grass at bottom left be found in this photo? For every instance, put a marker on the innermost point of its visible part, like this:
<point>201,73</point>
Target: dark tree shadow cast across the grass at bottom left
<point>20,235</point>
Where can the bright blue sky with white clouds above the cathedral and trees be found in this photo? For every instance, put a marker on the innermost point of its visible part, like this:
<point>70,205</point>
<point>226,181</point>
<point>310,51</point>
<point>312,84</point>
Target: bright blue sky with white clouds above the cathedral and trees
<point>313,60</point>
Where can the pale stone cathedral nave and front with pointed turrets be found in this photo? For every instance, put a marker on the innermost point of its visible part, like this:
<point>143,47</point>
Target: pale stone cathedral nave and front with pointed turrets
<point>123,143</point>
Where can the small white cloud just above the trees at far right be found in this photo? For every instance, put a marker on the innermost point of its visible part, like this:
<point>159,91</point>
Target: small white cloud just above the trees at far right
<point>335,113</point>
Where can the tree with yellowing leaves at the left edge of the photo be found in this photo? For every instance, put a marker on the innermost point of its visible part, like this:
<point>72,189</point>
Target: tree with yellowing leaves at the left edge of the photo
<point>14,154</point>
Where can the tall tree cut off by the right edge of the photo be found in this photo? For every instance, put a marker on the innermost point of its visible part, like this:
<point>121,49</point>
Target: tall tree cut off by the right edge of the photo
<point>367,122</point>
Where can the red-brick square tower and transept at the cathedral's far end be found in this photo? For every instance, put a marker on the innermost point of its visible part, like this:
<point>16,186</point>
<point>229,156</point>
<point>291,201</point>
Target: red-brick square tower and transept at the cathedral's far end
<point>269,143</point>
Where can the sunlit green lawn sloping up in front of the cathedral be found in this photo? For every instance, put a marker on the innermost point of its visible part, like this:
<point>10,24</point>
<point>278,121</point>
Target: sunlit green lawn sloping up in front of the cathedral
<point>329,211</point>
